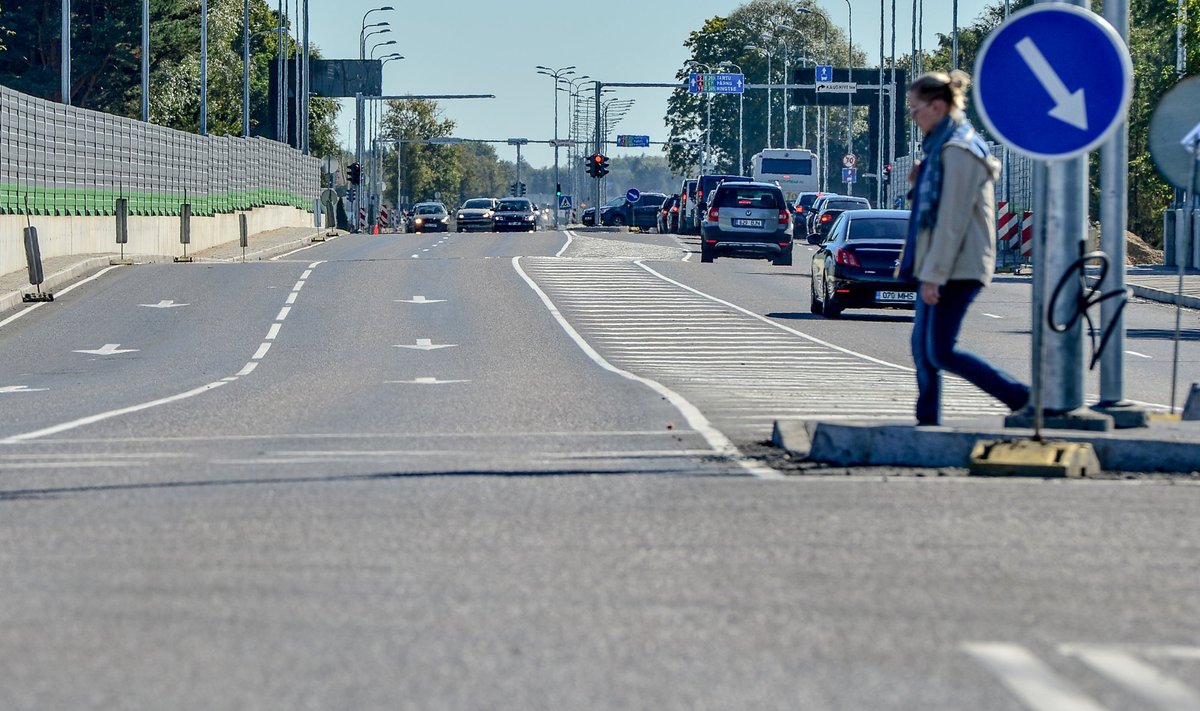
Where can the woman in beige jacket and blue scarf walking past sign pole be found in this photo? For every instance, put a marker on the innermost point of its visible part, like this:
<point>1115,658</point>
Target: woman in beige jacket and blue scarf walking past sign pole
<point>951,246</point>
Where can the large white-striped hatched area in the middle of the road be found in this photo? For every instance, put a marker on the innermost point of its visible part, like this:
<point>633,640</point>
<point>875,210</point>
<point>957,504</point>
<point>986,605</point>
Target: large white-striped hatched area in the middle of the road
<point>737,367</point>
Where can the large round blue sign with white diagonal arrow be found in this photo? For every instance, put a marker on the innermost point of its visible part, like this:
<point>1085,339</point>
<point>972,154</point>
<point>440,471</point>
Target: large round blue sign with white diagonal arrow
<point>1054,81</point>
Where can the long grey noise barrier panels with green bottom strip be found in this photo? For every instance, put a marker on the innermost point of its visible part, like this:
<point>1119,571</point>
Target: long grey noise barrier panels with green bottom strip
<point>62,160</point>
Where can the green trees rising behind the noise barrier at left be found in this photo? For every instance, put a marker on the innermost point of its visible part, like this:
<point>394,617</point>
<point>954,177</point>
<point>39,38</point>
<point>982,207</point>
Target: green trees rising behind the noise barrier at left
<point>106,75</point>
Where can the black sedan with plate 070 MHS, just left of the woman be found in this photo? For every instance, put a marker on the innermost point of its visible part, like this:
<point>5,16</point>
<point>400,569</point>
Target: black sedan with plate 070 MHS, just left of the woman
<point>856,266</point>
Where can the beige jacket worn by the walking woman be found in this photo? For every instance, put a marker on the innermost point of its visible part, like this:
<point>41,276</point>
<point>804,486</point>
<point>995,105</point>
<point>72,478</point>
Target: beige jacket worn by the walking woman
<point>963,243</point>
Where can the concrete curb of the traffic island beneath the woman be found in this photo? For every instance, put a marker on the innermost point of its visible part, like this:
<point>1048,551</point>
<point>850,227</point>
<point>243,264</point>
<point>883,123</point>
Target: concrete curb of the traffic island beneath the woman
<point>1168,447</point>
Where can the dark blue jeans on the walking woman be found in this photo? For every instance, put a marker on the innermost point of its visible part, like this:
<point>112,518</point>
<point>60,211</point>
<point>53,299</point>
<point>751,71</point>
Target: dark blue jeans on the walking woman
<point>935,332</point>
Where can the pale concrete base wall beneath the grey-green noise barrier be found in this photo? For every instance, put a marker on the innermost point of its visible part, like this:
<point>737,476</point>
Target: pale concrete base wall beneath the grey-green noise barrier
<point>151,236</point>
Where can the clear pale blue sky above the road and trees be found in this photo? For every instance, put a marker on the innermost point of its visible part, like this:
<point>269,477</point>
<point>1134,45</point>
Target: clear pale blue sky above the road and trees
<point>477,47</point>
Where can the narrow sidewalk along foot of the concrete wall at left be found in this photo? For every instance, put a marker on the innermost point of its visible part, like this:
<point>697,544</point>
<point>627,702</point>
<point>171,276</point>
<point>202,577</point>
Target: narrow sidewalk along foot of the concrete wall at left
<point>59,272</point>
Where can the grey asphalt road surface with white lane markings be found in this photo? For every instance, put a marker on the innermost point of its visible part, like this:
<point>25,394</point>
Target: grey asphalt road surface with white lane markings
<point>423,473</point>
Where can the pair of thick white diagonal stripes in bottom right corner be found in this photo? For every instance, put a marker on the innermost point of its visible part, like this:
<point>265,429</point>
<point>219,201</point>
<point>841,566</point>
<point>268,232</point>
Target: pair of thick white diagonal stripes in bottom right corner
<point>1042,689</point>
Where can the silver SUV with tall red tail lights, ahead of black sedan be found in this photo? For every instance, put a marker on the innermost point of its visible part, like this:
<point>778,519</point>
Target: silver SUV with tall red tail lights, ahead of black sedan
<point>748,220</point>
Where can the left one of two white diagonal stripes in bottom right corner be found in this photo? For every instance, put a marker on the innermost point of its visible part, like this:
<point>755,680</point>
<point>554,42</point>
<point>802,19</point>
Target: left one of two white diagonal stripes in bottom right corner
<point>1030,680</point>
